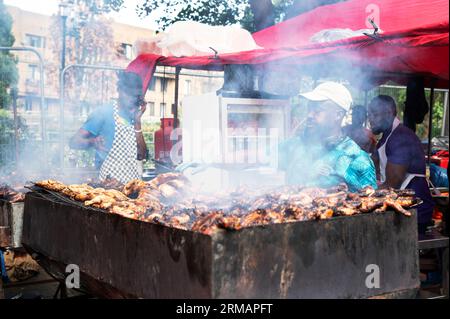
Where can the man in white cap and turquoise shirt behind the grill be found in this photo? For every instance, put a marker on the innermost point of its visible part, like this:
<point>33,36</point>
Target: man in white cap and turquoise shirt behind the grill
<point>322,155</point>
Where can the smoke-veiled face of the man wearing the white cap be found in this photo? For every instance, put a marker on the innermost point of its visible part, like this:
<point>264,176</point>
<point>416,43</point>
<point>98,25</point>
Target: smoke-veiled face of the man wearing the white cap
<point>322,118</point>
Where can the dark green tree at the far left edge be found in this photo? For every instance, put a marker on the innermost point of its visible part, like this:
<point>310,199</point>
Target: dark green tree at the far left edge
<point>8,68</point>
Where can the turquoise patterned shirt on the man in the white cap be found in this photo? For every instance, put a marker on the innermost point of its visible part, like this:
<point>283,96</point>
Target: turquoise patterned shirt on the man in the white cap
<point>349,164</point>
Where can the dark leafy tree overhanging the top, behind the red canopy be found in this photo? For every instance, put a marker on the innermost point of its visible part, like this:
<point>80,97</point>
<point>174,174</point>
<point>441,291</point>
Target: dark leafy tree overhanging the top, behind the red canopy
<point>253,15</point>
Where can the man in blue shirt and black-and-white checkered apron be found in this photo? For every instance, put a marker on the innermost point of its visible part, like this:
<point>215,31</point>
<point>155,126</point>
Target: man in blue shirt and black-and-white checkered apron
<point>114,131</point>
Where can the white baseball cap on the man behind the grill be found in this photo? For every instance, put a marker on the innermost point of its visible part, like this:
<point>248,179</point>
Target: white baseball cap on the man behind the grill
<point>332,91</point>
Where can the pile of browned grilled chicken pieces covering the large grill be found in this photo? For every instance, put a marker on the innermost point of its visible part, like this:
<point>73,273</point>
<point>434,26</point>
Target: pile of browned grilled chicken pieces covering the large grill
<point>170,200</point>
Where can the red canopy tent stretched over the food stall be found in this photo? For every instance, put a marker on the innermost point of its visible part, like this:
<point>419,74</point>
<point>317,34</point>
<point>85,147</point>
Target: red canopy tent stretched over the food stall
<point>415,40</point>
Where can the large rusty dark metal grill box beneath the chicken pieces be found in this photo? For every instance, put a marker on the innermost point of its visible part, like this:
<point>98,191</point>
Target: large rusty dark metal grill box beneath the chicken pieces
<point>120,257</point>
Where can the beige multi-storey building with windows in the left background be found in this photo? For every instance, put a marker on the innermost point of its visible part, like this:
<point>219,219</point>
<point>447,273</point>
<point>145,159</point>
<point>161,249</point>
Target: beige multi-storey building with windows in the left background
<point>34,30</point>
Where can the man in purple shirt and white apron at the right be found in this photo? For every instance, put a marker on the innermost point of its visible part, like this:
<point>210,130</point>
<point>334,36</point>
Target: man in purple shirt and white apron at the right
<point>400,157</point>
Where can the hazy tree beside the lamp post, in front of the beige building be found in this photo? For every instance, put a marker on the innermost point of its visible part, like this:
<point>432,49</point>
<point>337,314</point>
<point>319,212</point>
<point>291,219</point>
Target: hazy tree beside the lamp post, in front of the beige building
<point>89,40</point>
